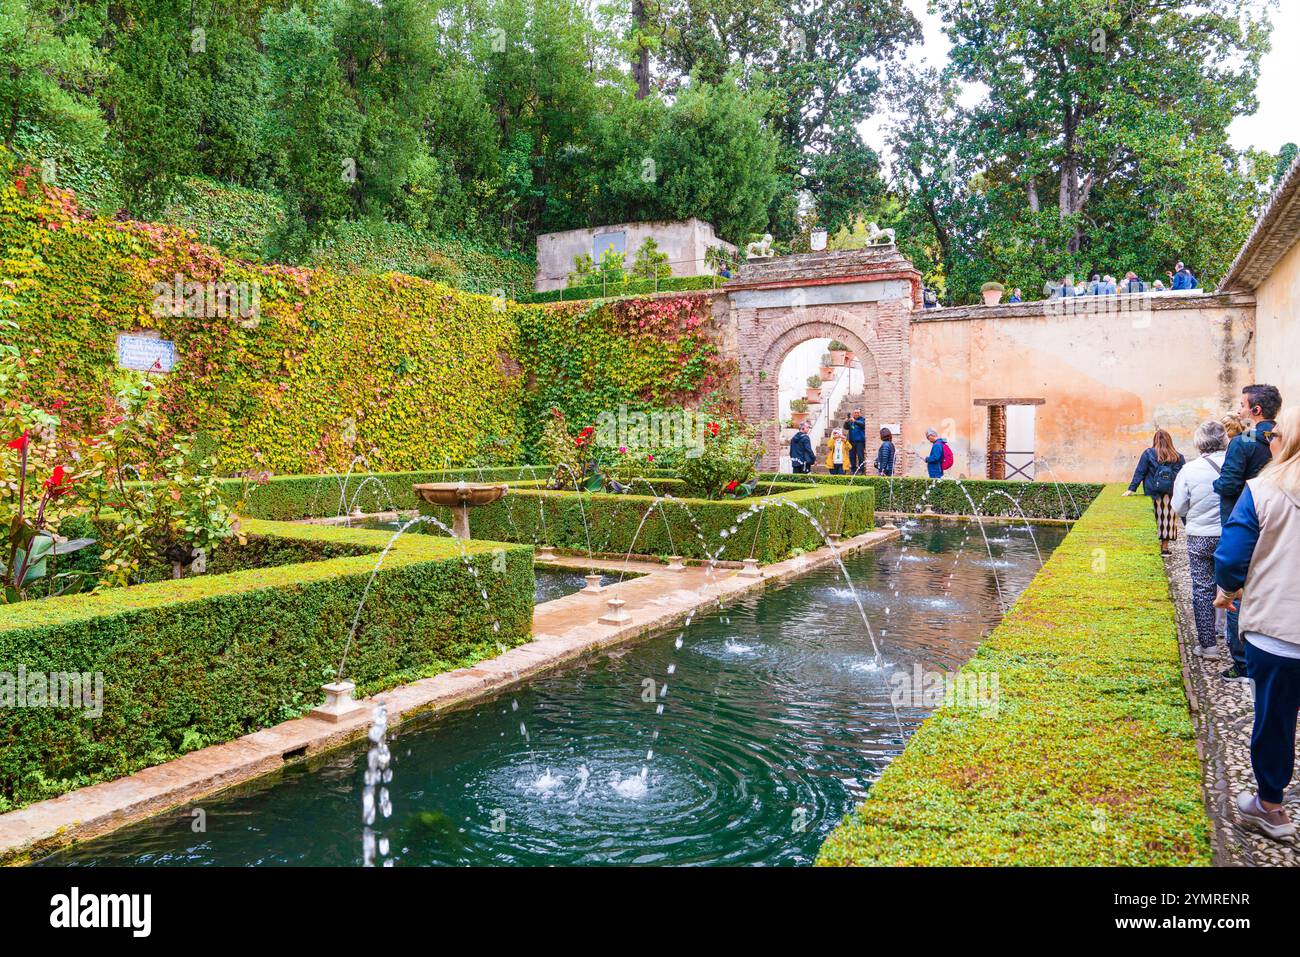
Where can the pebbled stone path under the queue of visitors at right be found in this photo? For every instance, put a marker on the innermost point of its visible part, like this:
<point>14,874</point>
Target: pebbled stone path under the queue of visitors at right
<point>1223,713</point>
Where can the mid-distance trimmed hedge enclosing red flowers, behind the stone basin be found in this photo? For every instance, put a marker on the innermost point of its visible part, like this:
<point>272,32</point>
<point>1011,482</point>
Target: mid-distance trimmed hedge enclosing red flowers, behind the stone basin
<point>566,519</point>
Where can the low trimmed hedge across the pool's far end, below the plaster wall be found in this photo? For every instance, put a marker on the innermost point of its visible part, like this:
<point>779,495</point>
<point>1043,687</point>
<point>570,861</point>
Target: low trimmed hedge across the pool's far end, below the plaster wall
<point>905,495</point>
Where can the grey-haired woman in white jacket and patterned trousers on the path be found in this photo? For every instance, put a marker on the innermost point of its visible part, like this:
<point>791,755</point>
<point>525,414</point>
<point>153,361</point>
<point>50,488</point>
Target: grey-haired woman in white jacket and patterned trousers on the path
<point>1198,506</point>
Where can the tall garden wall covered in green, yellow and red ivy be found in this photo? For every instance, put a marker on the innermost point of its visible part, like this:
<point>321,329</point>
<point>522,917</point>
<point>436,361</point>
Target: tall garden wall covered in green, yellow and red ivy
<point>297,370</point>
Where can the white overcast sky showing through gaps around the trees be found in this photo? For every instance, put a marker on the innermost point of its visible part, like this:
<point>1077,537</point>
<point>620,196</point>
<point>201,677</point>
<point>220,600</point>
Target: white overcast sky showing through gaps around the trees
<point>1268,129</point>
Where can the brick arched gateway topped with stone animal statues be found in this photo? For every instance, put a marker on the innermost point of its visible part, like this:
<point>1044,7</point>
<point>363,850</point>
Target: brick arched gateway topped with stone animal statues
<point>865,298</point>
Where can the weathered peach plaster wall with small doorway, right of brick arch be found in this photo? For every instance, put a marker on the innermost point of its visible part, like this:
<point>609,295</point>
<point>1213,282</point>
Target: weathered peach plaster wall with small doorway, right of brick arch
<point>1108,379</point>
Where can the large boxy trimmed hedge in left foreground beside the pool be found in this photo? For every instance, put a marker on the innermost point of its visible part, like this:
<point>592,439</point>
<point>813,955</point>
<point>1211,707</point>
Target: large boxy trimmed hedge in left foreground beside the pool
<point>206,660</point>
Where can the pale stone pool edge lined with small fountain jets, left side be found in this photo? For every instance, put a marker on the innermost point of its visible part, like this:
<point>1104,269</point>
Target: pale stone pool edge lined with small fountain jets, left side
<point>565,631</point>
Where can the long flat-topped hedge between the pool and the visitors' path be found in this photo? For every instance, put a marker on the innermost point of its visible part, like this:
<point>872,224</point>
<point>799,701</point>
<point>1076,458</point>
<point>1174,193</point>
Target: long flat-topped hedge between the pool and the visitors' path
<point>1091,756</point>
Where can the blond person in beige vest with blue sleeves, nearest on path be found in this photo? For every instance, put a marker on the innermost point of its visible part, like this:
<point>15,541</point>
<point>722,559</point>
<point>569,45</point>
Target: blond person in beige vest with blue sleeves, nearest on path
<point>1258,556</point>
